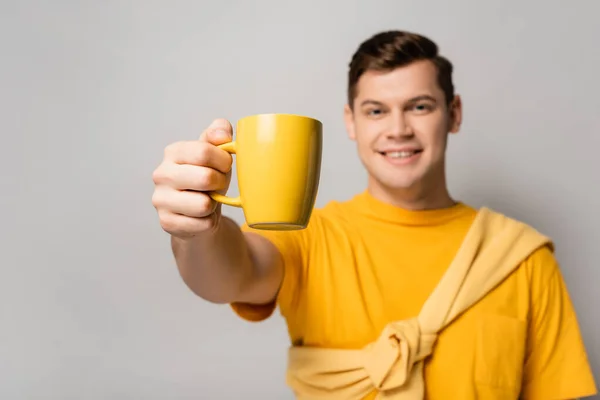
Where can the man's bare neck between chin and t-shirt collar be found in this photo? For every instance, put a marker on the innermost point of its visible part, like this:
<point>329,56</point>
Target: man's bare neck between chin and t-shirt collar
<point>414,198</point>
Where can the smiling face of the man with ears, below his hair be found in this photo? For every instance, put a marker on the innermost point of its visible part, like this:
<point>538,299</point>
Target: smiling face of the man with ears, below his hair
<point>400,121</point>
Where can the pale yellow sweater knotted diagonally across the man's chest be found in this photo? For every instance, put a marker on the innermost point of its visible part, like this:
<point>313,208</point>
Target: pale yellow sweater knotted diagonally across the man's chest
<point>492,249</point>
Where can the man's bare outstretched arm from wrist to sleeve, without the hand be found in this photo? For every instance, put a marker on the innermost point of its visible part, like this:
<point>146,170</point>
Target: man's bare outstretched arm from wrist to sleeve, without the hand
<point>226,265</point>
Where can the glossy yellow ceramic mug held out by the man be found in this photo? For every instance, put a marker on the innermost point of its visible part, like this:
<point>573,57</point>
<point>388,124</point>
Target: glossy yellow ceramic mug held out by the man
<point>278,164</point>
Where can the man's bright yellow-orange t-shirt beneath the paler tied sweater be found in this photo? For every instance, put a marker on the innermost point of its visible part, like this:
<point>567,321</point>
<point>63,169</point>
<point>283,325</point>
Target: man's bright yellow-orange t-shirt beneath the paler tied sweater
<point>362,263</point>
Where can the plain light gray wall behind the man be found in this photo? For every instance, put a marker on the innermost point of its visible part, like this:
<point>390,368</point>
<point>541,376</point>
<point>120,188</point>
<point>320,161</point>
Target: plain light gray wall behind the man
<point>91,304</point>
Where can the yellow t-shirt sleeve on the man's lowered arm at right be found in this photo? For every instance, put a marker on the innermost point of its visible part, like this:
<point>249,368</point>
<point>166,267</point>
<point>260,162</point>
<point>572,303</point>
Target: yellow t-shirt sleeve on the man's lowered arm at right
<point>556,365</point>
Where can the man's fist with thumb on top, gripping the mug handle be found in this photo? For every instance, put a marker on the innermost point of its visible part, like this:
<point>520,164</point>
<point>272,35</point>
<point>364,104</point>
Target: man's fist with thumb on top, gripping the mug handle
<point>188,171</point>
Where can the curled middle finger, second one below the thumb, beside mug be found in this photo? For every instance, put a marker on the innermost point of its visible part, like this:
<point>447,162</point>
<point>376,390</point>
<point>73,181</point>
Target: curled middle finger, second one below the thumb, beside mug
<point>191,177</point>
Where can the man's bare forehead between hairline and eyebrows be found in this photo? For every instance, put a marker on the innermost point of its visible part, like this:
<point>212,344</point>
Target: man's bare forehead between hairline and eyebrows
<point>402,83</point>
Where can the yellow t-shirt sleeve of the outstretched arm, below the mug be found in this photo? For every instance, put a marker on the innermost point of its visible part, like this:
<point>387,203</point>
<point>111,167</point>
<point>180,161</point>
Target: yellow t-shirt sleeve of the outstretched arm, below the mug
<point>293,247</point>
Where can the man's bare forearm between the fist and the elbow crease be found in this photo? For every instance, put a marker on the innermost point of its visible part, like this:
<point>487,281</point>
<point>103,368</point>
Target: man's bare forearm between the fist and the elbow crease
<point>215,264</point>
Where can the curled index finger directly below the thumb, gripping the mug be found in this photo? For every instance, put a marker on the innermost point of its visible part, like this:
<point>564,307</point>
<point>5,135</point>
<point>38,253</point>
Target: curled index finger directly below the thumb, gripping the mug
<point>199,154</point>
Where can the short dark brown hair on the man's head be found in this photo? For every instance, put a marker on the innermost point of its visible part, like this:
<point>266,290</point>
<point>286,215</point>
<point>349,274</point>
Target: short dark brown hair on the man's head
<point>388,50</point>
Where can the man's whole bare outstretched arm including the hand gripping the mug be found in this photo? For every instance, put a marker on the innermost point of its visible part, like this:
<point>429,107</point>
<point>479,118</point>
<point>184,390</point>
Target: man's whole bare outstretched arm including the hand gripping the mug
<point>215,259</point>
